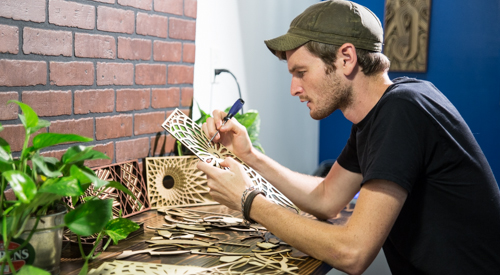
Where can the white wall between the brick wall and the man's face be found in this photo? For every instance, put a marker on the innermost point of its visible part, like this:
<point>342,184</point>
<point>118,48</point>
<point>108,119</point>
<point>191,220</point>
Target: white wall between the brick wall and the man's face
<point>230,34</point>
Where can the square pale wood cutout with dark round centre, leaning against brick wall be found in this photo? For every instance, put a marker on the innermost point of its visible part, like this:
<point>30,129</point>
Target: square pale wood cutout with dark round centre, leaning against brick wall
<point>175,181</point>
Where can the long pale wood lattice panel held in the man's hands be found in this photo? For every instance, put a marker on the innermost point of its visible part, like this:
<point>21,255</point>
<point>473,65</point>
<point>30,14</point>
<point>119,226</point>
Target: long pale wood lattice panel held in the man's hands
<point>190,135</point>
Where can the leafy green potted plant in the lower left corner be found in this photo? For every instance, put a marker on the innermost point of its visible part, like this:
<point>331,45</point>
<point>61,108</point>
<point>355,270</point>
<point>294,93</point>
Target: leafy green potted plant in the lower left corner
<point>39,184</point>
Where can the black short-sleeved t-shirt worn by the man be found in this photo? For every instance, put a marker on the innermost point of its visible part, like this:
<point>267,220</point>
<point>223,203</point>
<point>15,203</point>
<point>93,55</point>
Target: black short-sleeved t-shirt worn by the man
<point>450,222</point>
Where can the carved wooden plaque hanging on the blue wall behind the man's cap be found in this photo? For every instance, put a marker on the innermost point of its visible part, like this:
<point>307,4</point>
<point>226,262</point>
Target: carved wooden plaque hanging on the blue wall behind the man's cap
<point>407,34</point>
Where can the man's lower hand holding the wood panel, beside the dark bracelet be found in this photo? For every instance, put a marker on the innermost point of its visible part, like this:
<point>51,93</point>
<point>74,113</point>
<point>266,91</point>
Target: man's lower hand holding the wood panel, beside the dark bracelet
<point>226,186</point>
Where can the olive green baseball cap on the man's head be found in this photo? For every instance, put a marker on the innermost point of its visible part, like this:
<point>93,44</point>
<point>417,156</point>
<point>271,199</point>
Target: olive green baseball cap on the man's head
<point>332,22</point>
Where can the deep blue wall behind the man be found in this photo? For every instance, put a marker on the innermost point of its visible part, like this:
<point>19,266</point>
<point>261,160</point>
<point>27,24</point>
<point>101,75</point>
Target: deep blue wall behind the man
<point>463,62</point>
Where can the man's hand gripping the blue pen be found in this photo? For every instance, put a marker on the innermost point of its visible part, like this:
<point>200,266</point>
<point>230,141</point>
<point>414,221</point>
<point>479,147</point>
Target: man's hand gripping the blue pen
<point>232,135</point>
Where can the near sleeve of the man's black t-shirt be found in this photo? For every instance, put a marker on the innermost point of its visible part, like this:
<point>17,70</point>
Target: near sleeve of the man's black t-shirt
<point>396,144</point>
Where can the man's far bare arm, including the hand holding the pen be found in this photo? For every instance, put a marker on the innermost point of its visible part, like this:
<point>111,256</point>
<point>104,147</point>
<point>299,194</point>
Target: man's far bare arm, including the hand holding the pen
<point>323,198</point>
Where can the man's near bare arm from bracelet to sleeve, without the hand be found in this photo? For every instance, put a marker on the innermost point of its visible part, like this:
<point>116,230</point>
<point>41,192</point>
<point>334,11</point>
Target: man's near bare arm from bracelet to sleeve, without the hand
<point>351,247</point>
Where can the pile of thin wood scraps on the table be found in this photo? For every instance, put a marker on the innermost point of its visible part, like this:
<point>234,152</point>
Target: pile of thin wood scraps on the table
<point>195,232</point>
